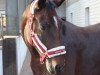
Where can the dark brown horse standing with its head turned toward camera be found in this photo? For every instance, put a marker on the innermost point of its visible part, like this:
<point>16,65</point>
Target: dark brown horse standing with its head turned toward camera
<point>82,56</point>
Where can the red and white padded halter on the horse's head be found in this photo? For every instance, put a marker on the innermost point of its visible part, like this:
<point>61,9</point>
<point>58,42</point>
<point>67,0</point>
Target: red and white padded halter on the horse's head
<point>34,39</point>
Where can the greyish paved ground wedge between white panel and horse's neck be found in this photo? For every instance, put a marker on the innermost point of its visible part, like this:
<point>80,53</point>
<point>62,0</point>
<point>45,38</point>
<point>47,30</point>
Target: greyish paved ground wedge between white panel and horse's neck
<point>26,70</point>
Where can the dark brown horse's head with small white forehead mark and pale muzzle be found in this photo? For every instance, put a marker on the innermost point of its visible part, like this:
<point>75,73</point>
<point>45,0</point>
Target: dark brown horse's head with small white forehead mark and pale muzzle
<point>47,26</point>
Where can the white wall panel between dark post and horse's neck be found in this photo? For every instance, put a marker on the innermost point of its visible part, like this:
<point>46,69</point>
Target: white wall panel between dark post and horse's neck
<point>21,53</point>
